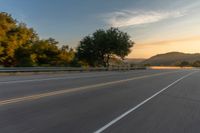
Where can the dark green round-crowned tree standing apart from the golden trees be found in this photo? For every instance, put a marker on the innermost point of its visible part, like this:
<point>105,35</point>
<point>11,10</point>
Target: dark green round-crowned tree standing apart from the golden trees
<point>97,49</point>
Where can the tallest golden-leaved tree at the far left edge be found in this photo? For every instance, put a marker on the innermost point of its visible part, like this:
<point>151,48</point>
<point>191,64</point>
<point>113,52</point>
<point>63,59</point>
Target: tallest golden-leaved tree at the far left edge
<point>12,36</point>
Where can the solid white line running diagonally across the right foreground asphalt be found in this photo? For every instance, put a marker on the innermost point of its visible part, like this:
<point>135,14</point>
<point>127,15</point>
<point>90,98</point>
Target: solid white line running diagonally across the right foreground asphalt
<point>139,105</point>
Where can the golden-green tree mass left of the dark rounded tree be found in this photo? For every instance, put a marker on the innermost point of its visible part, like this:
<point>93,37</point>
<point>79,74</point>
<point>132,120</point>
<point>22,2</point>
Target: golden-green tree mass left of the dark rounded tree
<point>21,46</point>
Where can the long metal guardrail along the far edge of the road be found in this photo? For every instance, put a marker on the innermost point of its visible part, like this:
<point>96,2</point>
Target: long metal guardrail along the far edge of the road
<point>56,69</point>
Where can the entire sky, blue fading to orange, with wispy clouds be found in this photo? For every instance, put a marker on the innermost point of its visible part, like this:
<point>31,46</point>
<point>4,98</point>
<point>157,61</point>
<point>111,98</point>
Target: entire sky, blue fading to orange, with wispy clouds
<point>156,26</point>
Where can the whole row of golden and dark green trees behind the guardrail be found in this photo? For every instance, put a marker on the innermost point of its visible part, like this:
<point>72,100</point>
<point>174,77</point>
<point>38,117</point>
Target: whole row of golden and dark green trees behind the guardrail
<point>20,46</point>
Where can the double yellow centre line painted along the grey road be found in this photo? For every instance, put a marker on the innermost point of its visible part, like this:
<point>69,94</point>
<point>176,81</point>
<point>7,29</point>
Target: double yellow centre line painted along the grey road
<point>53,93</point>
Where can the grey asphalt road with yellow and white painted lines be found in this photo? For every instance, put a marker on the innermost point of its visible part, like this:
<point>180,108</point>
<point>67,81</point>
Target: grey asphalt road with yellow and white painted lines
<point>140,101</point>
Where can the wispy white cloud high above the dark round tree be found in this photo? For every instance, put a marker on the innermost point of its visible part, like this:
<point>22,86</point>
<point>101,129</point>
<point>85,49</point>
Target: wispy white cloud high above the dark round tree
<point>126,18</point>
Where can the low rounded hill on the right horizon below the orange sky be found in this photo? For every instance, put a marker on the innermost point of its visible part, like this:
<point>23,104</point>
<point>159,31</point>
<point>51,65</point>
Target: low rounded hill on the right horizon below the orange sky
<point>171,58</point>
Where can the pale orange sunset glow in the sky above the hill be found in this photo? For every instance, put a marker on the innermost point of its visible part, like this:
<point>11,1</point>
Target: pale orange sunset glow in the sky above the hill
<point>146,50</point>
